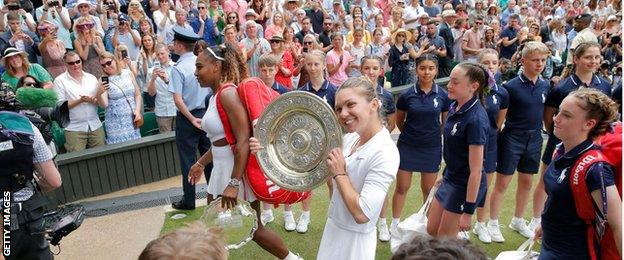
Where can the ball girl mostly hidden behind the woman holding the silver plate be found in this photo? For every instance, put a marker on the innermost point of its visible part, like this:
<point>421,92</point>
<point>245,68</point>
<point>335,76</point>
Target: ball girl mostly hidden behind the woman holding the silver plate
<point>371,68</point>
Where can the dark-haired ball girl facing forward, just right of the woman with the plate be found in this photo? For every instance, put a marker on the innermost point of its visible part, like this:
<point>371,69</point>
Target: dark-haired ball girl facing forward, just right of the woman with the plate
<point>421,111</point>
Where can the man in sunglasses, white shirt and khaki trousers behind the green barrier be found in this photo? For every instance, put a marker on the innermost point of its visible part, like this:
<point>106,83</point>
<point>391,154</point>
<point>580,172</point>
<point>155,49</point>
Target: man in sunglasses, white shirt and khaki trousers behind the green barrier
<point>82,91</point>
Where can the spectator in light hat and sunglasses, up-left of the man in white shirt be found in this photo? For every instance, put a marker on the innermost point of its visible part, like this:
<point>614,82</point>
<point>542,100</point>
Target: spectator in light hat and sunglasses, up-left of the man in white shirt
<point>51,49</point>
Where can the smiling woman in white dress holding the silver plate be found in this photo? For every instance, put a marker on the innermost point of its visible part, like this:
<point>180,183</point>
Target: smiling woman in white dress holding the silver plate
<point>362,172</point>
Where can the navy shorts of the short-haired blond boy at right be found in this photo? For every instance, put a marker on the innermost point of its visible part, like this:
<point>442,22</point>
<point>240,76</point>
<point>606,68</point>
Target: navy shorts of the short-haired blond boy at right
<point>519,149</point>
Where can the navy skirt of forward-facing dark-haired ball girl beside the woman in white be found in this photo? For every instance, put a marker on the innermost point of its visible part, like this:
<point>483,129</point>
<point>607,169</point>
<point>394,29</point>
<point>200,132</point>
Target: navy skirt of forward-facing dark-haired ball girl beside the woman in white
<point>415,158</point>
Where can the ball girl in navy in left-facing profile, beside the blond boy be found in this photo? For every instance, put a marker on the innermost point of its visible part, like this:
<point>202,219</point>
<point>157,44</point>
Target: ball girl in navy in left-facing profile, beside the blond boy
<point>462,187</point>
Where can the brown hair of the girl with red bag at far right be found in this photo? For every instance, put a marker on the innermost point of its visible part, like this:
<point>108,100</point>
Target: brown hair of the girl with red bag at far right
<point>598,107</point>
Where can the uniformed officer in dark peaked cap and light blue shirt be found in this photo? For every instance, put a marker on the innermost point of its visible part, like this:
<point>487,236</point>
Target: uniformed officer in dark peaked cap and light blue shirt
<point>190,99</point>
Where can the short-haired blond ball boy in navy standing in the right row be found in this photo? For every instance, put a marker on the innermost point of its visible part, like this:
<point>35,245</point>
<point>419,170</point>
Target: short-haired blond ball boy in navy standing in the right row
<point>520,142</point>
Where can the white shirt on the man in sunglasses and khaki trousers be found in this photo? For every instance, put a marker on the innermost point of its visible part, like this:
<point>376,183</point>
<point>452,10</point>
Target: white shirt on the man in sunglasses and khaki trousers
<point>83,117</point>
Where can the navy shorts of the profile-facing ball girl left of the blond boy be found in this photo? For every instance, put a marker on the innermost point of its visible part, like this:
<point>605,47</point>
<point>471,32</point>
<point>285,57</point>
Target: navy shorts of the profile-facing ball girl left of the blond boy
<point>452,197</point>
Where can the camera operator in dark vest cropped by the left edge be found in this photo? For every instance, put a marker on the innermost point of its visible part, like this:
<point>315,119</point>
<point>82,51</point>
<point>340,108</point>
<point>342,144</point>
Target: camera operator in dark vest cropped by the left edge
<point>27,170</point>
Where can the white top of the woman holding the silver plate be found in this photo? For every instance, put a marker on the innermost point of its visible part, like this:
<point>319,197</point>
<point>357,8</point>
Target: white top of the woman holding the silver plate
<point>372,168</point>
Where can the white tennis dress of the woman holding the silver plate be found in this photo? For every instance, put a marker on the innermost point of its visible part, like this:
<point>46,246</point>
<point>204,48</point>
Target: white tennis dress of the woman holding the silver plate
<point>371,168</point>
